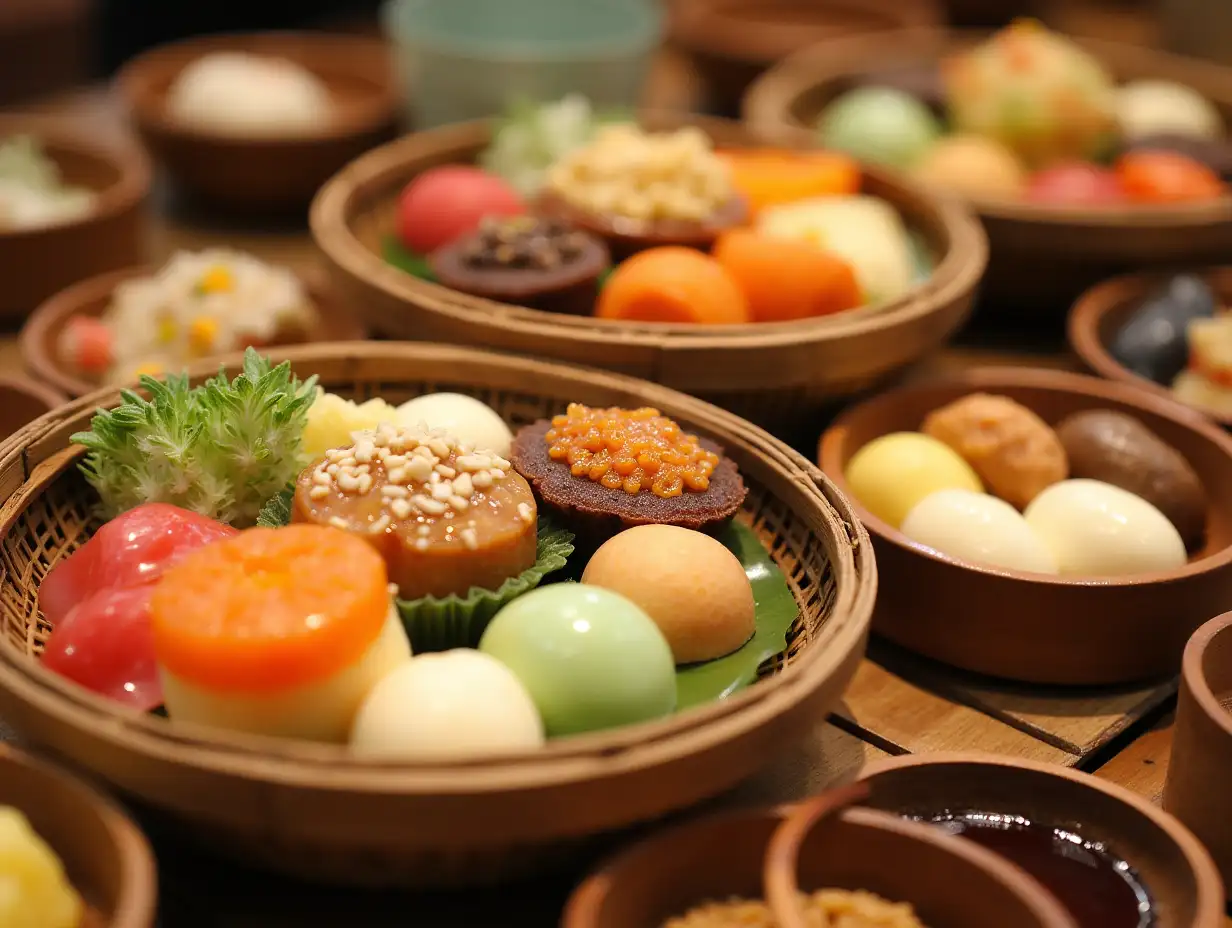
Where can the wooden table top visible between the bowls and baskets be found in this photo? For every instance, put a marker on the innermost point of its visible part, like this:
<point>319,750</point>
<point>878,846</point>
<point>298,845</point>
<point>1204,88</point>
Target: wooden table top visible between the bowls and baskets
<point>898,703</point>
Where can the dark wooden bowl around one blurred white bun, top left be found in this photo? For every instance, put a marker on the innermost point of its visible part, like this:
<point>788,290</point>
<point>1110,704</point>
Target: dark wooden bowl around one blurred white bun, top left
<point>243,174</point>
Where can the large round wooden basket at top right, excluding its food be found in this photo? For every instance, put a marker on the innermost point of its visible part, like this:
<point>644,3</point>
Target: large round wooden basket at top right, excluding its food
<point>1040,258</point>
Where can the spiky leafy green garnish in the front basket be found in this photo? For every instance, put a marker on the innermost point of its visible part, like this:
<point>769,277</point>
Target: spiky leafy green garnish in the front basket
<point>222,449</point>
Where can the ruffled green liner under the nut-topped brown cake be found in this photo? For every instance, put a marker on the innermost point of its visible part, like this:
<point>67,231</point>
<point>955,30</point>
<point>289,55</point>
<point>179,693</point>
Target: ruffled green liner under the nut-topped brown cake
<point>460,622</point>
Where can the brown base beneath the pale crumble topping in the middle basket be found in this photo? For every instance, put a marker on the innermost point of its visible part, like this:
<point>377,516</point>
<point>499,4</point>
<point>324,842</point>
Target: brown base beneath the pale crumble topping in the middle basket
<point>626,237</point>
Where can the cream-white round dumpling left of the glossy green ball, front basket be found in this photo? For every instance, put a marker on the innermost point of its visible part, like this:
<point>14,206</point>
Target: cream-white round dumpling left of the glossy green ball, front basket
<point>448,707</point>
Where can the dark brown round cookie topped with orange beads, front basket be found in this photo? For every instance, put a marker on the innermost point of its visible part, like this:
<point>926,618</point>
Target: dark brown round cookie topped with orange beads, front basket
<point>608,470</point>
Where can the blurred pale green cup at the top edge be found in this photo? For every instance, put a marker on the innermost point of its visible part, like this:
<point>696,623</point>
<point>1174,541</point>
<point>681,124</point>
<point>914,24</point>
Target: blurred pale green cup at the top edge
<point>465,60</point>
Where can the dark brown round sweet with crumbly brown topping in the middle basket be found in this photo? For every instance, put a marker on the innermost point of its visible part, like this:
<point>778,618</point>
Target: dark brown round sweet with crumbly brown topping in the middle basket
<point>528,261</point>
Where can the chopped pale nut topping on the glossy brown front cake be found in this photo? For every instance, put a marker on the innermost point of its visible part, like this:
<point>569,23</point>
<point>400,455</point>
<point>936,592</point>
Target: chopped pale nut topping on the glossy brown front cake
<point>413,475</point>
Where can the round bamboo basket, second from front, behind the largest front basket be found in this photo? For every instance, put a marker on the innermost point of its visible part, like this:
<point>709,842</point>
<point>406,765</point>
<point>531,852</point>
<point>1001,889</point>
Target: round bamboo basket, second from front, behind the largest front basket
<point>774,374</point>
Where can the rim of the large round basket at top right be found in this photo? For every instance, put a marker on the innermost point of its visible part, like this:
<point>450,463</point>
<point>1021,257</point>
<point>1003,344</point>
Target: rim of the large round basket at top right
<point>773,102</point>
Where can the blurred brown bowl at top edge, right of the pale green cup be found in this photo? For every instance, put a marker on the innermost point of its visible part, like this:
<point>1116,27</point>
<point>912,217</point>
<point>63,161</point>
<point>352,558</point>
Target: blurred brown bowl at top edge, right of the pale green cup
<point>731,43</point>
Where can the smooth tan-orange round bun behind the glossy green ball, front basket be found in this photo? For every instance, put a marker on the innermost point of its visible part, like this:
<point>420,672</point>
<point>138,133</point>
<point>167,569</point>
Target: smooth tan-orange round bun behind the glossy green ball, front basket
<point>693,587</point>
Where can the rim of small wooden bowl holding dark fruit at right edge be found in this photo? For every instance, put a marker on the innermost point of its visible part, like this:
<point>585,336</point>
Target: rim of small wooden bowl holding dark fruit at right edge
<point>1082,330</point>
